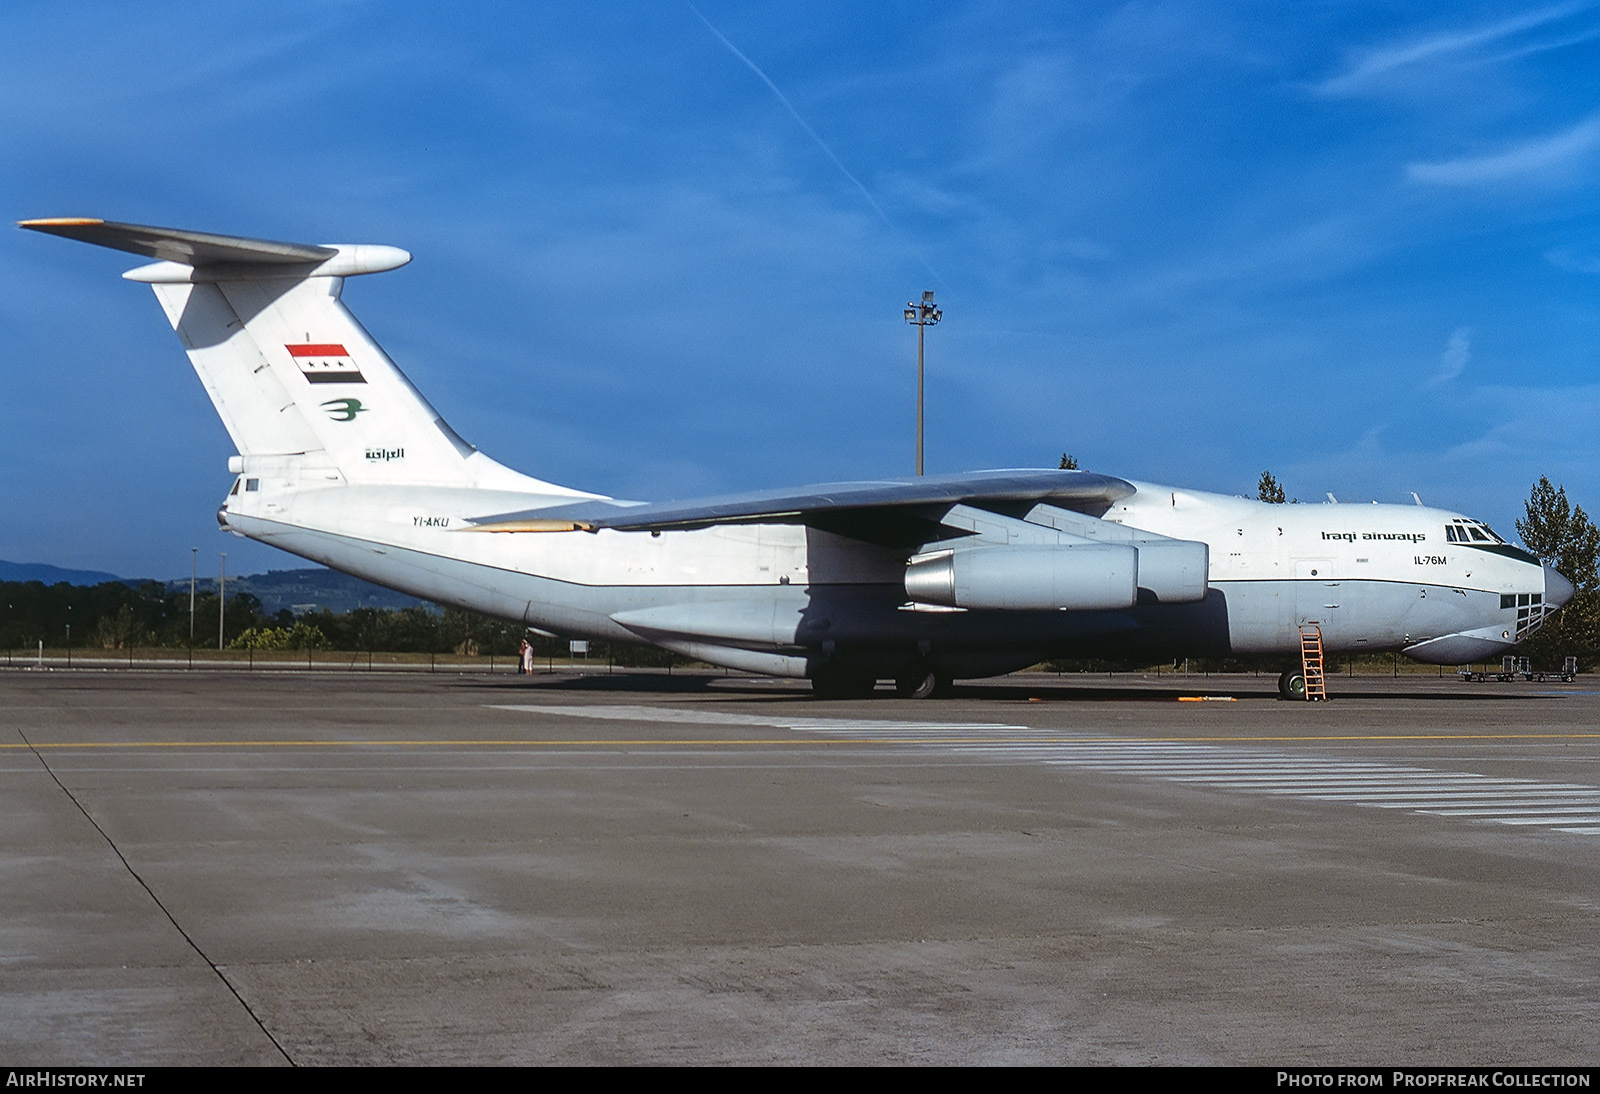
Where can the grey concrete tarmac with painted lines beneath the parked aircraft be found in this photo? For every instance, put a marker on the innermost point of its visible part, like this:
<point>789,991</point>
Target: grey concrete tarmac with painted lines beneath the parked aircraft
<point>225,868</point>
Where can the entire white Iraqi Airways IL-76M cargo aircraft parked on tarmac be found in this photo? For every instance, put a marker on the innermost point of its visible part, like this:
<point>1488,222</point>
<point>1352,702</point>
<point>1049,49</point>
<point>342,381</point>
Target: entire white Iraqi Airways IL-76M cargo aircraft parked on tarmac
<point>919,580</point>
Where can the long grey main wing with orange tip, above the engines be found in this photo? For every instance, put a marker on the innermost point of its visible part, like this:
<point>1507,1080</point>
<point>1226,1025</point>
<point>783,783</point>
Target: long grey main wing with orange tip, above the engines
<point>852,509</point>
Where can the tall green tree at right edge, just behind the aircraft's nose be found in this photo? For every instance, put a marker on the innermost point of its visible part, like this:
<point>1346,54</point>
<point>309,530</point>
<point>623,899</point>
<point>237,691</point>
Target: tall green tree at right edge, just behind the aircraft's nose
<point>1564,537</point>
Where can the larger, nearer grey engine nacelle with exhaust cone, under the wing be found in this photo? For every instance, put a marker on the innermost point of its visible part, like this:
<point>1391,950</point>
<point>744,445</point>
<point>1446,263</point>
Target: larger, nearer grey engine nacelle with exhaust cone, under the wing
<point>1068,577</point>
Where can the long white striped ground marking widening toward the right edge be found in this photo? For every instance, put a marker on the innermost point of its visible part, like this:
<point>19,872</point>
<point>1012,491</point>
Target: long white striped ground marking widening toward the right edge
<point>1458,796</point>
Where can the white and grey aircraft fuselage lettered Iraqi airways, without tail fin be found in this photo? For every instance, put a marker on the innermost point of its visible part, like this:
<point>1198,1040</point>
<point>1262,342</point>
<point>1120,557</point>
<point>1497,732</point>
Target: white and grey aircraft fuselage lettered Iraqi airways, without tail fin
<point>780,597</point>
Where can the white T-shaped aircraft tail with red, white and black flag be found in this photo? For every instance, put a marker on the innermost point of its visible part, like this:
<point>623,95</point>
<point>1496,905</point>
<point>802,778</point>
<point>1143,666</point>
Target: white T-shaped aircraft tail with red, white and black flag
<point>292,373</point>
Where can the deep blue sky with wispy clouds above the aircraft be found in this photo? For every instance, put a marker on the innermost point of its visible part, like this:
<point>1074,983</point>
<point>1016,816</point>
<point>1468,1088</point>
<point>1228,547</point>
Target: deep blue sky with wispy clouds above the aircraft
<point>663,250</point>
